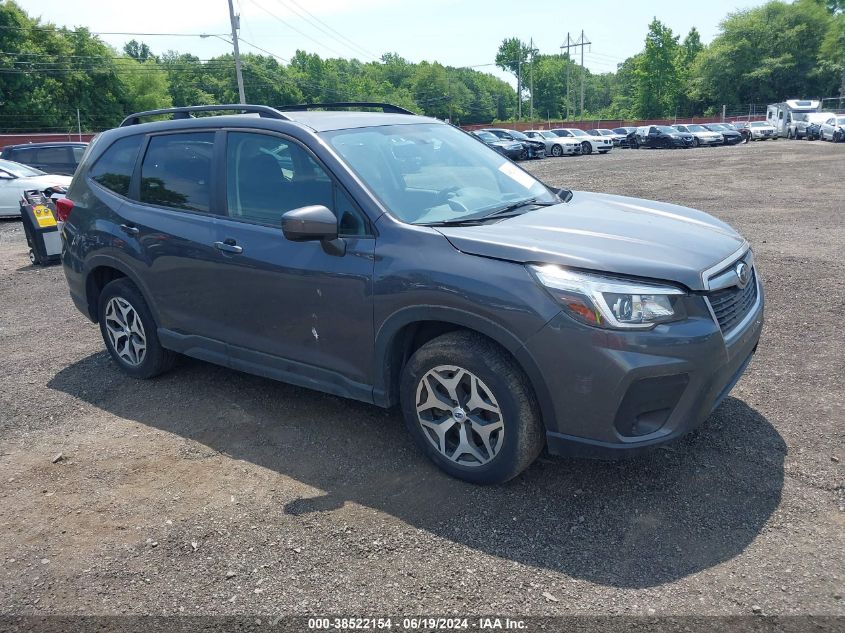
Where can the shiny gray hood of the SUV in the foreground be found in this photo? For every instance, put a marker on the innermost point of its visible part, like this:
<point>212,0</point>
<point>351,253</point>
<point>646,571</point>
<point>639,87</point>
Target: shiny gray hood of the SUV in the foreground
<point>608,233</point>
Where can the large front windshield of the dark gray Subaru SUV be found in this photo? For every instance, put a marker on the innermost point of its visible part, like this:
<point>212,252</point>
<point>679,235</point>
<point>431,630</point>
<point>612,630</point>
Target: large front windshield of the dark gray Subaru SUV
<point>430,172</point>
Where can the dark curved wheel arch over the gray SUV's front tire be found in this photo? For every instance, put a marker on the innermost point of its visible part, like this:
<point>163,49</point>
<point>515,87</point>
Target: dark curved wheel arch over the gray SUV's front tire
<point>407,330</point>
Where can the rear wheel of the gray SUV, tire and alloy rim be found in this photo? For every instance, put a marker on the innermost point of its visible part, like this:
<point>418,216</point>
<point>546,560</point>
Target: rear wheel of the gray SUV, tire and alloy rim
<point>121,305</point>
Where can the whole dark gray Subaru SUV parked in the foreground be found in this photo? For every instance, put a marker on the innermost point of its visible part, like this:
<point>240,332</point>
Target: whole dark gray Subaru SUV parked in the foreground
<point>395,259</point>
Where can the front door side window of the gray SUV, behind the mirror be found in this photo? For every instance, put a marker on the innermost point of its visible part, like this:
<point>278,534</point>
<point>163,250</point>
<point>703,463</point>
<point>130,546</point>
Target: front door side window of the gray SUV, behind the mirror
<point>266,176</point>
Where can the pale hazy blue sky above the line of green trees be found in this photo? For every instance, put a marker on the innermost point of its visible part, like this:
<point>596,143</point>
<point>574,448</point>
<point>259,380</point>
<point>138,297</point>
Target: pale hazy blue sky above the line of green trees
<point>458,33</point>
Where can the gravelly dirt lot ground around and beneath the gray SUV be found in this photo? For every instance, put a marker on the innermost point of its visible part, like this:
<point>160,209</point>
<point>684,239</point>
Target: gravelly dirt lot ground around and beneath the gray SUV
<point>212,492</point>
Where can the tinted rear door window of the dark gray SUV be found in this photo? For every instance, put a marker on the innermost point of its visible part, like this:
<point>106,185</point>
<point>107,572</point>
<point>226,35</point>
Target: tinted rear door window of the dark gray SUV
<point>176,171</point>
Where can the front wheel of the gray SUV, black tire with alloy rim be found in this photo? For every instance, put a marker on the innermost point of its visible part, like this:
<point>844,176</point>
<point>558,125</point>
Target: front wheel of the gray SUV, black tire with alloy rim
<point>503,391</point>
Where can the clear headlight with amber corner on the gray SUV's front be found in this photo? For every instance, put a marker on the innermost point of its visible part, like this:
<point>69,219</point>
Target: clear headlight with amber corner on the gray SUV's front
<point>608,302</point>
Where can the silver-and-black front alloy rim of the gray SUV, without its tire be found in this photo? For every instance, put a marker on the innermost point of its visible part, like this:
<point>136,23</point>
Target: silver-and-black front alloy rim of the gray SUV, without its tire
<point>459,415</point>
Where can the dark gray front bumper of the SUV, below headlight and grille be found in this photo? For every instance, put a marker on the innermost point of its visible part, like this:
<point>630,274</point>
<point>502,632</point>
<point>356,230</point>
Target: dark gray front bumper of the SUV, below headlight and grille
<point>613,392</point>
